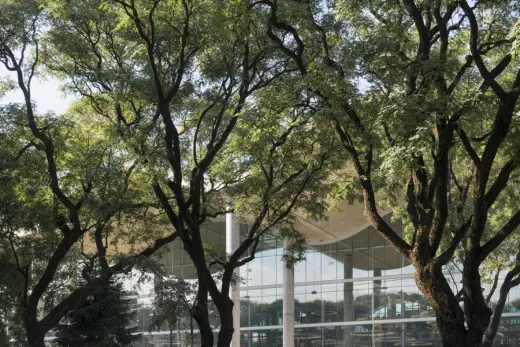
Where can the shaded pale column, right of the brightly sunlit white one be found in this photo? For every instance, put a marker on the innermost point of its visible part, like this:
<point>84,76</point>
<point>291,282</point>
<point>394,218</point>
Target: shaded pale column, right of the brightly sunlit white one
<point>288,300</point>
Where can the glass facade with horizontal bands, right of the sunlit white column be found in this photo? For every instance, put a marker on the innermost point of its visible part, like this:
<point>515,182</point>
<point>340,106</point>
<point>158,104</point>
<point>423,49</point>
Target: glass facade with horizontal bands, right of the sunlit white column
<point>354,292</point>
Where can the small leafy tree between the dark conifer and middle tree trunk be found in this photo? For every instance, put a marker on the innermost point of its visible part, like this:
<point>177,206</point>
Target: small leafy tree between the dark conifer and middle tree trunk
<point>172,301</point>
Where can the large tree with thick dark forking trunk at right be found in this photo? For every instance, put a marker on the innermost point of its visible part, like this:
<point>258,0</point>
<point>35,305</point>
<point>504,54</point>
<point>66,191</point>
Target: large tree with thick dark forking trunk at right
<point>423,97</point>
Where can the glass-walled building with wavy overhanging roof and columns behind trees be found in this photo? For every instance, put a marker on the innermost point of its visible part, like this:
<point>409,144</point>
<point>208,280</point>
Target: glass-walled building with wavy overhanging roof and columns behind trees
<point>353,290</point>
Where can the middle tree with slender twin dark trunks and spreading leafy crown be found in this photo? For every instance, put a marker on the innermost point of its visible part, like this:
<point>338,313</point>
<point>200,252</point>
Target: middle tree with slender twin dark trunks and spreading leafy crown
<point>195,75</point>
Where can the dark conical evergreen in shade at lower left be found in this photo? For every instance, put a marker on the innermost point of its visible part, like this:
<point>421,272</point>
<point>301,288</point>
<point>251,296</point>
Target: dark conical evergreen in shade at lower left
<point>104,319</point>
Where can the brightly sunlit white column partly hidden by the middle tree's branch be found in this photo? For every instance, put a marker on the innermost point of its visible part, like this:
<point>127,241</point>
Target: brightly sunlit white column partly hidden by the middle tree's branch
<point>232,243</point>
